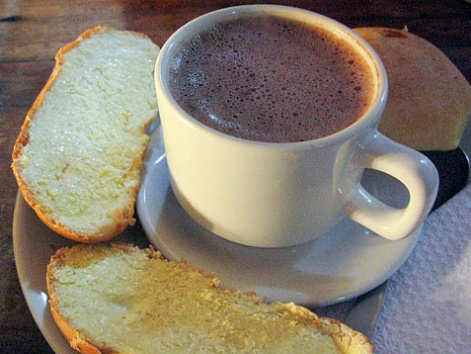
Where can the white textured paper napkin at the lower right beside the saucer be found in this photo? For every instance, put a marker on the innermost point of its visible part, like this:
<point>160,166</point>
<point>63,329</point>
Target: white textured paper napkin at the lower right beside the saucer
<point>427,306</point>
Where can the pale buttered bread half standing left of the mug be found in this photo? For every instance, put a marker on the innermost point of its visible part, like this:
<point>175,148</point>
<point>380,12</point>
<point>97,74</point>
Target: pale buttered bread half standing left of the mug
<point>78,156</point>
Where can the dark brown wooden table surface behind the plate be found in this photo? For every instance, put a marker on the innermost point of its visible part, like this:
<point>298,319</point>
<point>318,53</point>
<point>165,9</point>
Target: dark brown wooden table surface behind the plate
<point>31,32</point>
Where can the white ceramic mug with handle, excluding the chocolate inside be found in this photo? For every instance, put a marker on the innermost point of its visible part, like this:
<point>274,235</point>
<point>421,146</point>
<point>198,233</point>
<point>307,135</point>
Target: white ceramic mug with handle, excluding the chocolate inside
<point>281,194</point>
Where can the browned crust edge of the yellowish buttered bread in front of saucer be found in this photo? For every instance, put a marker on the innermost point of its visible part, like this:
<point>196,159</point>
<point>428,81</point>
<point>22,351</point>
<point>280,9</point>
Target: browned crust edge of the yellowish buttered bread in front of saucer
<point>345,338</point>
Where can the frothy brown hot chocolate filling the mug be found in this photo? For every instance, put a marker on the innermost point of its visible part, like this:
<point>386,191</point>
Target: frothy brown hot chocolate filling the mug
<point>271,79</point>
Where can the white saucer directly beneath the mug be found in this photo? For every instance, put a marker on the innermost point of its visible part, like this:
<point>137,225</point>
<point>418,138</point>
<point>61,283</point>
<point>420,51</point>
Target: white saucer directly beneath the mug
<point>344,264</point>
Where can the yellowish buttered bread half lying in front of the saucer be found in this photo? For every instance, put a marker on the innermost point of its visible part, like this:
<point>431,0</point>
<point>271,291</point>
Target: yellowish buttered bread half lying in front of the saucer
<point>118,298</point>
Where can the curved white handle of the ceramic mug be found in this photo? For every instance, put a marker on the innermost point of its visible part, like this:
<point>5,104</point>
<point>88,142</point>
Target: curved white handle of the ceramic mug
<point>411,168</point>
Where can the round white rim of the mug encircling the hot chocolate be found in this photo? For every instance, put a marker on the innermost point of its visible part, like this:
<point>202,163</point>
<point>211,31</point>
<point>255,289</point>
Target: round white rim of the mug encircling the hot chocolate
<point>369,119</point>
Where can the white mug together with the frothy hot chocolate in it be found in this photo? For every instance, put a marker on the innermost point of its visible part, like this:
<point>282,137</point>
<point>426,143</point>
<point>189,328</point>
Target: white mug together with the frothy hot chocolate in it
<point>269,117</point>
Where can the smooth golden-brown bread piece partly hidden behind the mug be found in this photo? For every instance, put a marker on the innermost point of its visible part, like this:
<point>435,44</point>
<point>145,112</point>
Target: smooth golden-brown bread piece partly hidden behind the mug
<point>429,101</point>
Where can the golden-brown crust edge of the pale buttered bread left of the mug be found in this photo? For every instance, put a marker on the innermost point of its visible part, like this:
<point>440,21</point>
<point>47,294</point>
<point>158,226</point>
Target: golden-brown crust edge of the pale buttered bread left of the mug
<point>123,217</point>
